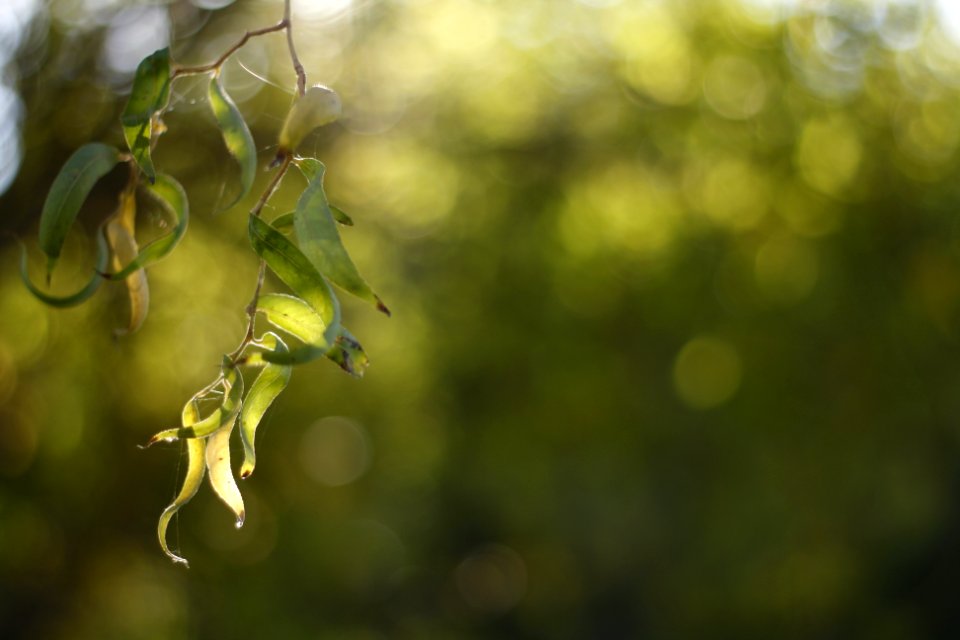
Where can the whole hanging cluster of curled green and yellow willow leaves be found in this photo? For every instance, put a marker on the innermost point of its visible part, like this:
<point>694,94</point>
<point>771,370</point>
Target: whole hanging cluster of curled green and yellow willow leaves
<point>305,324</point>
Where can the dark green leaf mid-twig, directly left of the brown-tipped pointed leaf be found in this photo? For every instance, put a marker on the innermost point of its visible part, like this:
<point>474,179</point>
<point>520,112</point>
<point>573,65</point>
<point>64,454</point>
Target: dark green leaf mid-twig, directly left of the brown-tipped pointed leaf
<point>293,268</point>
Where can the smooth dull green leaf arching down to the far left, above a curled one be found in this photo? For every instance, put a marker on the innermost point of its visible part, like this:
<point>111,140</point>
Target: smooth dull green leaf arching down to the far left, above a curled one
<point>70,188</point>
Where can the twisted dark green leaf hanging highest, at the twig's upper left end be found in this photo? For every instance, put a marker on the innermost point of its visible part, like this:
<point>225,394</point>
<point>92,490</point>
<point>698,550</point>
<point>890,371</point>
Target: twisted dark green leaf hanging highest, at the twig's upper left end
<point>151,89</point>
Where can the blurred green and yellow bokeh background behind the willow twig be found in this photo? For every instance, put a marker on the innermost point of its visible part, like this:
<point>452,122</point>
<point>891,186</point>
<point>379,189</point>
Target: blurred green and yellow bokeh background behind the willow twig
<point>674,350</point>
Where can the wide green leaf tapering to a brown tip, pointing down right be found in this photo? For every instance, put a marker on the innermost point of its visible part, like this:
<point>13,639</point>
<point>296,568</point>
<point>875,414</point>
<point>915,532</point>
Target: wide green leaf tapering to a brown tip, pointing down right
<point>320,241</point>
